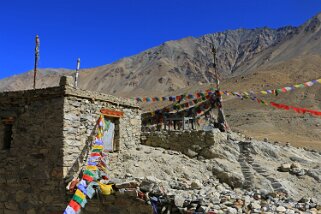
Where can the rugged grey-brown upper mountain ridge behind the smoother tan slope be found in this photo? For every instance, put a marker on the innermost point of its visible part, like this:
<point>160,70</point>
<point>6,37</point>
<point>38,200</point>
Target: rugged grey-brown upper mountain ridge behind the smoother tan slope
<point>177,64</point>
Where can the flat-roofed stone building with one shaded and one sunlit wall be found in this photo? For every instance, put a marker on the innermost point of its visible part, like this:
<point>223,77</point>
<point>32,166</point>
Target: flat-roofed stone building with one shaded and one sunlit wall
<point>44,135</point>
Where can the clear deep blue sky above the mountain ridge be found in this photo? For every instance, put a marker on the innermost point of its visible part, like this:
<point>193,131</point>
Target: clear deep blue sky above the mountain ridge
<point>103,31</point>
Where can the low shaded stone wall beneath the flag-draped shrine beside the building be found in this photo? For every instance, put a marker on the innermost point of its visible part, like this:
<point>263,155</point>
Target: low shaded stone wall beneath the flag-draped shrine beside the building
<point>190,142</point>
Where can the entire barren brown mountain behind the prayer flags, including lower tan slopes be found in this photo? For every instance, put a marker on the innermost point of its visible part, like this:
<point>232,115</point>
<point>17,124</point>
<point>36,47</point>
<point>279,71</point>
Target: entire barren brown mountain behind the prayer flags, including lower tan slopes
<point>247,59</point>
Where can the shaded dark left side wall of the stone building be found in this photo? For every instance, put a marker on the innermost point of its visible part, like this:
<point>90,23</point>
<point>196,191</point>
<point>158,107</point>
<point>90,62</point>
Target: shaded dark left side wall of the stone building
<point>31,170</point>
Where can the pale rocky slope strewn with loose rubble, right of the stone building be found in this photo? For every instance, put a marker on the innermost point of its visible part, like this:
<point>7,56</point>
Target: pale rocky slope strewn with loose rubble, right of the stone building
<point>284,179</point>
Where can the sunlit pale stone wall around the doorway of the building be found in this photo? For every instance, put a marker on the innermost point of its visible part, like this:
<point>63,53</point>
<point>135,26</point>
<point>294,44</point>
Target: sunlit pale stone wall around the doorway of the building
<point>80,117</point>
